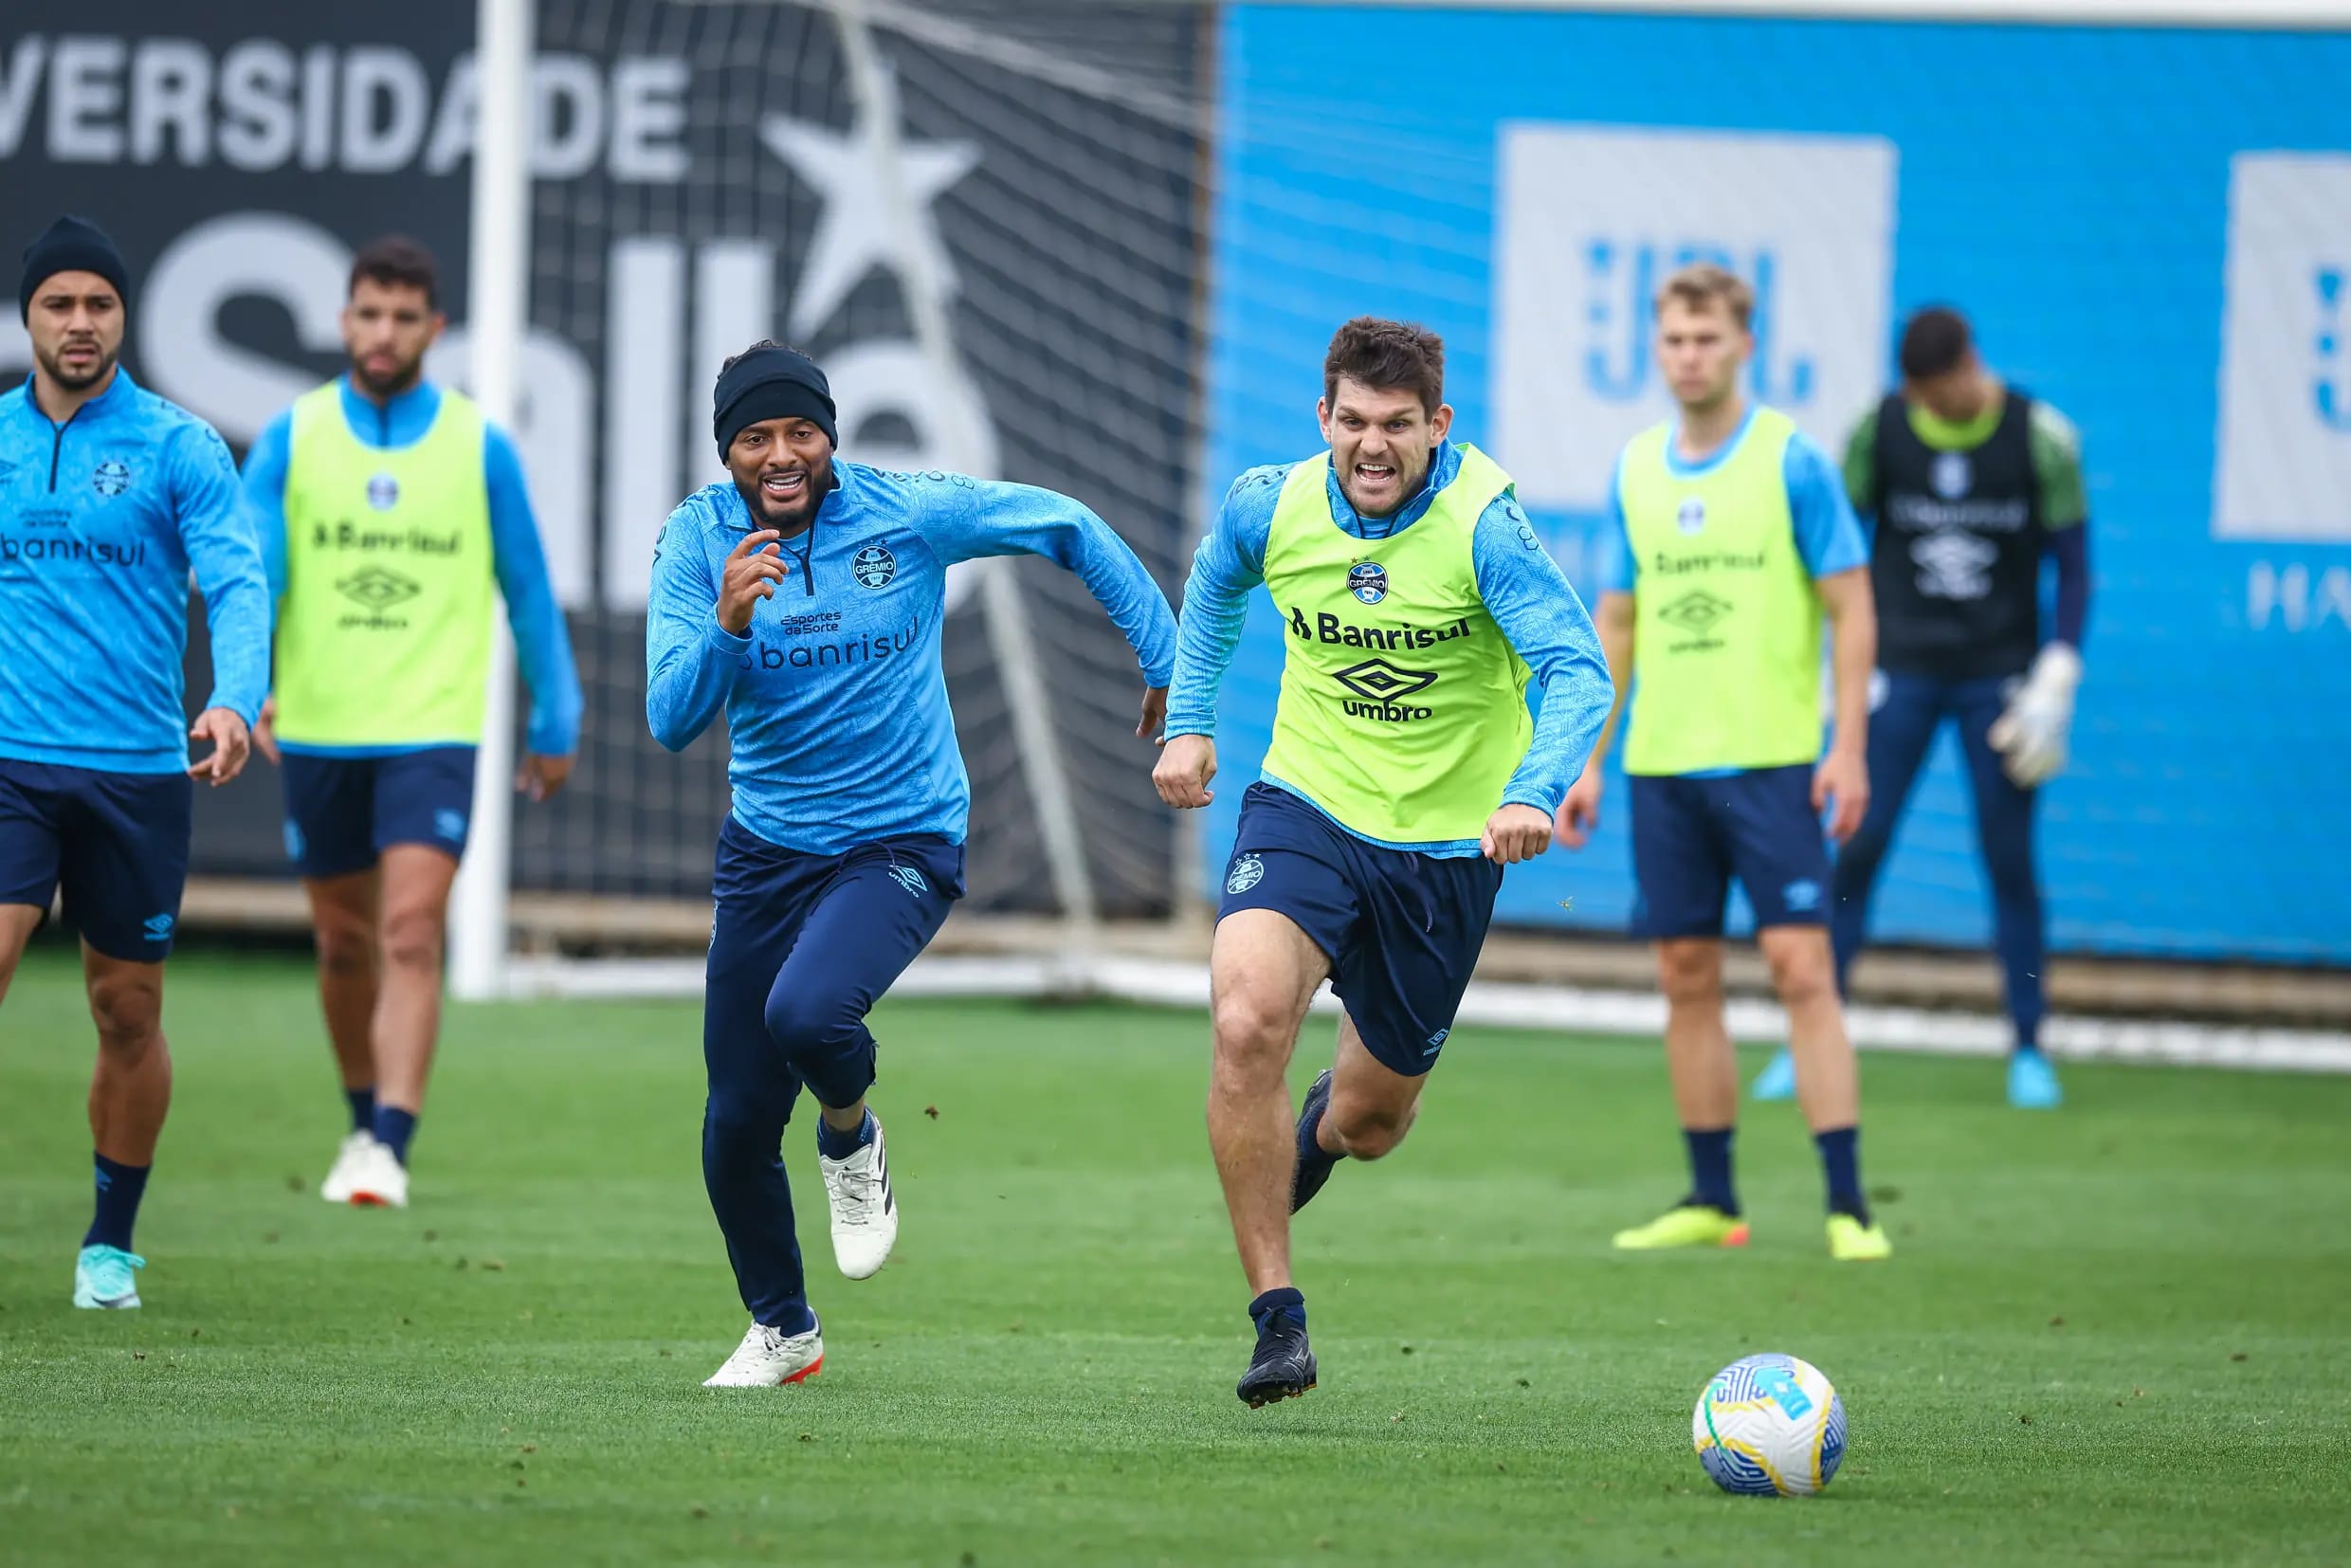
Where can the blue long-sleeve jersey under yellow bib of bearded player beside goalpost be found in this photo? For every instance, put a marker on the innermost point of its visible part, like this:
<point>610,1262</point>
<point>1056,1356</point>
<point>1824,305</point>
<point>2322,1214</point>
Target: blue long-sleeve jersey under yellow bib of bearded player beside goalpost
<point>518,558</point>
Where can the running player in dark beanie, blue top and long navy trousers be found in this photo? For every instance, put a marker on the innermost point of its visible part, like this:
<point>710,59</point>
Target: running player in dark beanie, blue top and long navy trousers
<point>845,845</point>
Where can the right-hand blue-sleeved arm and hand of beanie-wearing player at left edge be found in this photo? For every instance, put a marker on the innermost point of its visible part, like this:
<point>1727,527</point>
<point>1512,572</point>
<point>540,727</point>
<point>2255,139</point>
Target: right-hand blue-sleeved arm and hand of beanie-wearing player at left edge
<point>217,532</point>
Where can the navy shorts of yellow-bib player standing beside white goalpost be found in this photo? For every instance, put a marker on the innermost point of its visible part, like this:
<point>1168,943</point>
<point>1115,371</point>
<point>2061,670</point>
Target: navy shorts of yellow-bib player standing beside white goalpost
<point>344,812</point>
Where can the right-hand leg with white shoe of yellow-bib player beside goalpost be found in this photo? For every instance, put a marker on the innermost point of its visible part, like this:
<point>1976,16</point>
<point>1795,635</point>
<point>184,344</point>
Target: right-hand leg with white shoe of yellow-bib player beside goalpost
<point>413,937</point>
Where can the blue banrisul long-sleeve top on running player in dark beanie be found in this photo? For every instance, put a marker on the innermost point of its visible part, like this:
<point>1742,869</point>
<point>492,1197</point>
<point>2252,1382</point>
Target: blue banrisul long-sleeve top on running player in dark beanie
<point>836,699</point>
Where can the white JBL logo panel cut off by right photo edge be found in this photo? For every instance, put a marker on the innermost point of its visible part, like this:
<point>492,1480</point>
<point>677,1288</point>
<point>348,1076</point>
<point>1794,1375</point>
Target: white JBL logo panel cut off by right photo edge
<point>2284,467</point>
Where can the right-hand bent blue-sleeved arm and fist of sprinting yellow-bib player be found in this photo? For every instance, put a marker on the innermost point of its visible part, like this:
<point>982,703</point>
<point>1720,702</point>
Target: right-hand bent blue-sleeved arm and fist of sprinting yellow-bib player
<point>1543,619</point>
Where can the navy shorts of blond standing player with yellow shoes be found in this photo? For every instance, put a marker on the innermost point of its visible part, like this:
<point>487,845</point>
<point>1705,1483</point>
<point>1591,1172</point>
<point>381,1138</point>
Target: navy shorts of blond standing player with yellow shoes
<point>1694,836</point>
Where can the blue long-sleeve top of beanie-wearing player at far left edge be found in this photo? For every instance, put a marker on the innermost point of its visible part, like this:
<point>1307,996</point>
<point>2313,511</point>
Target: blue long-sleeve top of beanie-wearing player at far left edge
<point>102,518</point>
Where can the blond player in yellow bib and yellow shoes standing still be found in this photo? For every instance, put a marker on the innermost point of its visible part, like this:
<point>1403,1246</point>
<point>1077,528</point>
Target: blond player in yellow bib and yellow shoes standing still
<point>1732,535</point>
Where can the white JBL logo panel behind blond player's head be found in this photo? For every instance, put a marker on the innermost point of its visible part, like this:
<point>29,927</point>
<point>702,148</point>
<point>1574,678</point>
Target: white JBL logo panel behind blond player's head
<point>1593,220</point>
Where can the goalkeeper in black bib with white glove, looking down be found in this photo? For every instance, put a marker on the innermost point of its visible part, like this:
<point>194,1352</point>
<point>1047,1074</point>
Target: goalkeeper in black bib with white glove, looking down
<point>1971,485</point>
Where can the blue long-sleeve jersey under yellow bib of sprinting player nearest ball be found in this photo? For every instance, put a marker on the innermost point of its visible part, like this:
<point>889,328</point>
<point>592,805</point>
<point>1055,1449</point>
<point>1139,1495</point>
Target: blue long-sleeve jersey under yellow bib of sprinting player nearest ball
<point>1525,594</point>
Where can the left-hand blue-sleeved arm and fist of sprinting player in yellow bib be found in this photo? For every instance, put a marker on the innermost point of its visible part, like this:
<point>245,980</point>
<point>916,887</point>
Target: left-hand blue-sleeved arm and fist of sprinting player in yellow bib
<point>1231,561</point>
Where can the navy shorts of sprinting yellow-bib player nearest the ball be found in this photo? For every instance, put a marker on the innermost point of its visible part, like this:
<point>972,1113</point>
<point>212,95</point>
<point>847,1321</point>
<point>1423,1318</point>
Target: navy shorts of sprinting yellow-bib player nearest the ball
<point>1402,930</point>
